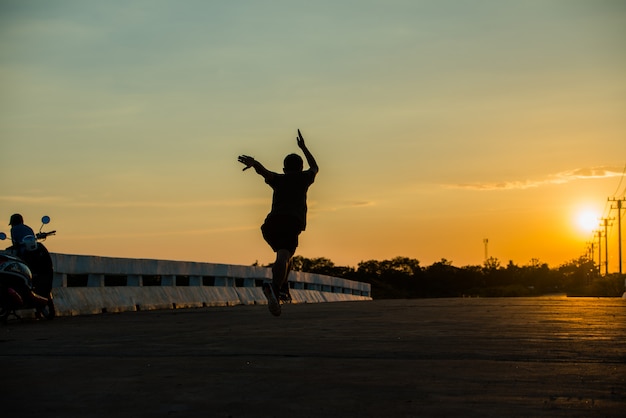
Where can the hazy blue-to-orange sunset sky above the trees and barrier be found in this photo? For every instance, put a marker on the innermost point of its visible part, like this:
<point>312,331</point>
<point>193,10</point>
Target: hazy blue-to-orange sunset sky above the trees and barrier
<point>436,125</point>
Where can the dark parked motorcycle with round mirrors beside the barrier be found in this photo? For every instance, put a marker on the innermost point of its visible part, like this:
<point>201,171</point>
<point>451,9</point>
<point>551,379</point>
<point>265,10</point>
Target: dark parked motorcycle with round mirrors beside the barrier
<point>26,274</point>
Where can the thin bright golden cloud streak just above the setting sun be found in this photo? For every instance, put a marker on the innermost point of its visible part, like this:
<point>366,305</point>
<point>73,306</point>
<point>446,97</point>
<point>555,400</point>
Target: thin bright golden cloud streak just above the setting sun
<point>558,178</point>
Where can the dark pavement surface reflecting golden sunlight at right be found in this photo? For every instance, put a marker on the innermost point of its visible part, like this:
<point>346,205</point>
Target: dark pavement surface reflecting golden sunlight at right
<point>514,357</point>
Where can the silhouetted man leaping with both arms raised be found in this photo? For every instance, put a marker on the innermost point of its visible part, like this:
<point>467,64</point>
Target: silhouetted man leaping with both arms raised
<point>287,218</point>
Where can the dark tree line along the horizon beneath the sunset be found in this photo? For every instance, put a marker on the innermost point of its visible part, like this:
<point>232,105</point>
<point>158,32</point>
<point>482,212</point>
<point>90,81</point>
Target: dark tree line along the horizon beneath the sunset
<point>403,277</point>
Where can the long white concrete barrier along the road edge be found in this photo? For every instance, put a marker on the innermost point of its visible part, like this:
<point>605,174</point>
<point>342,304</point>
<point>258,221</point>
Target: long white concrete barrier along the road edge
<point>91,285</point>
